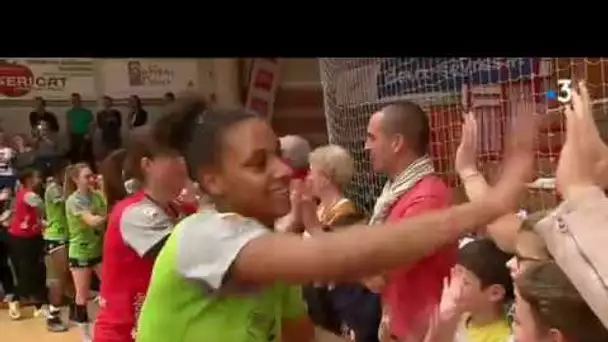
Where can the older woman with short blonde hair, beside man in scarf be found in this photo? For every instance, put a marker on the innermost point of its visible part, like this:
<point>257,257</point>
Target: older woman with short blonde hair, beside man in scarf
<point>345,309</point>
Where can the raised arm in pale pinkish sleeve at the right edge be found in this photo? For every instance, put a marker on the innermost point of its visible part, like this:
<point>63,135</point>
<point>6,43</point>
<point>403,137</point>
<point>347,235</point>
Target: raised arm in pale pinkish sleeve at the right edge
<point>575,232</point>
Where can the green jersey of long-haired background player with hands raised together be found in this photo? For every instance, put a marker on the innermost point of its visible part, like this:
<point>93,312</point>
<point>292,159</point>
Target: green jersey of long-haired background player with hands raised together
<point>85,242</point>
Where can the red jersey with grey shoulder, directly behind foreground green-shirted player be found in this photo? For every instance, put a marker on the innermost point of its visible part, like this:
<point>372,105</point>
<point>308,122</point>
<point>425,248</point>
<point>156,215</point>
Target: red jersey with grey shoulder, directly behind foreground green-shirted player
<point>137,227</point>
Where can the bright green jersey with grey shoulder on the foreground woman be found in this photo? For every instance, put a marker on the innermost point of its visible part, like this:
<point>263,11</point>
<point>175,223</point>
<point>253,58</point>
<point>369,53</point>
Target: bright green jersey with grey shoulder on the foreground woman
<point>191,296</point>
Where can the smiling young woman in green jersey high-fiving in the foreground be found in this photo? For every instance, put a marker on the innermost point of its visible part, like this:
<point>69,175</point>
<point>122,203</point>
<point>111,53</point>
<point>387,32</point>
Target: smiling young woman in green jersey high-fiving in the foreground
<point>222,273</point>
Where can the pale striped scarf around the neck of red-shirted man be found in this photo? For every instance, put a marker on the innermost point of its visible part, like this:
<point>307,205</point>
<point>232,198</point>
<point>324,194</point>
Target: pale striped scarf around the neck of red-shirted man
<point>394,189</point>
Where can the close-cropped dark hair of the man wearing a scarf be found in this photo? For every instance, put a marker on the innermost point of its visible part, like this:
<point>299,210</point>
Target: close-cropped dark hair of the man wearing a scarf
<point>410,121</point>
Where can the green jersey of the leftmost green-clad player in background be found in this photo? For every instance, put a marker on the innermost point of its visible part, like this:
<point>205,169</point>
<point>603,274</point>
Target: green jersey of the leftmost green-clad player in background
<point>54,207</point>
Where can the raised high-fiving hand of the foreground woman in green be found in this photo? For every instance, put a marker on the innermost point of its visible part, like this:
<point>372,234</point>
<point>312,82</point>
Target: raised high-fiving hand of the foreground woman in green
<point>516,167</point>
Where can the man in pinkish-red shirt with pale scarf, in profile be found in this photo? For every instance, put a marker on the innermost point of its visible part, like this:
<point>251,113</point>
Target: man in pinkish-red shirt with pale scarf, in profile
<point>397,139</point>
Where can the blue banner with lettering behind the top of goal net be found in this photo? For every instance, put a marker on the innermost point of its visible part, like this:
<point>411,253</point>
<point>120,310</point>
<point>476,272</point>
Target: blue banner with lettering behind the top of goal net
<point>400,76</point>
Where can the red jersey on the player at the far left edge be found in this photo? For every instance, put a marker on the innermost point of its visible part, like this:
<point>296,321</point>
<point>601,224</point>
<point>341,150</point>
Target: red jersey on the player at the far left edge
<point>25,221</point>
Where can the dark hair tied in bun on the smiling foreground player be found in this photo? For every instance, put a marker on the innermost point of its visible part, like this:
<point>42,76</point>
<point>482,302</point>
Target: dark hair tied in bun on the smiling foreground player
<point>196,130</point>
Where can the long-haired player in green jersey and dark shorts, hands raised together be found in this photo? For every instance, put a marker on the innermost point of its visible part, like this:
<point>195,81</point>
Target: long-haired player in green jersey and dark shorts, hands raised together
<point>85,211</point>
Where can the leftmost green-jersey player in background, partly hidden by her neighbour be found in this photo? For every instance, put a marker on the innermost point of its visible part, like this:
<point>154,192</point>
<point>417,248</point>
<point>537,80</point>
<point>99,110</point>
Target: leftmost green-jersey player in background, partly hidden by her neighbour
<point>55,243</point>
